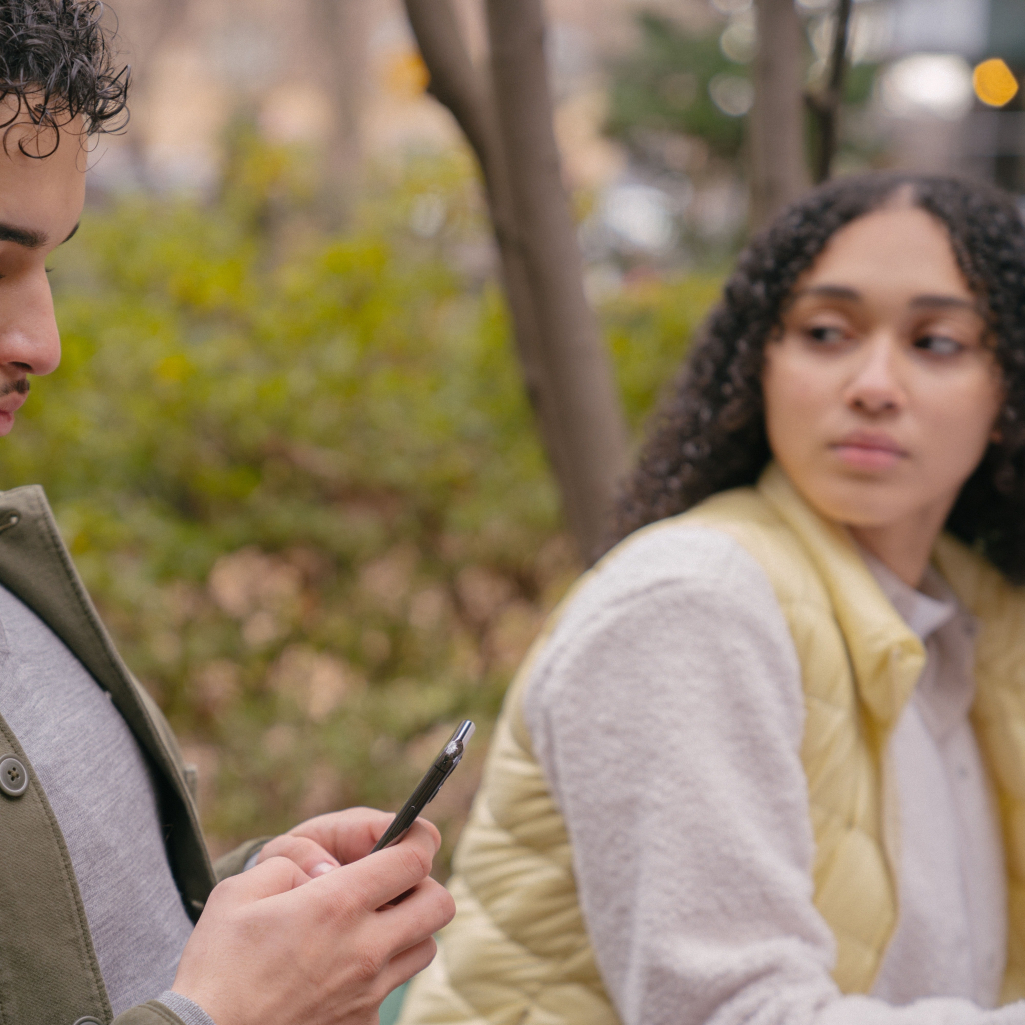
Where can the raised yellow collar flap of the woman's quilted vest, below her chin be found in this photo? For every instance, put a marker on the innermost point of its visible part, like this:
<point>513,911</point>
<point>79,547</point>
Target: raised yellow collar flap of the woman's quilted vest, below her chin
<point>886,655</point>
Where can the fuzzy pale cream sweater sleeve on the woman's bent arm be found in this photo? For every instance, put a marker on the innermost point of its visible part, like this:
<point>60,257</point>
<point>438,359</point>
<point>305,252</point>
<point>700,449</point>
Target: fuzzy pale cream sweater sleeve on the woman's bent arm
<point>668,714</point>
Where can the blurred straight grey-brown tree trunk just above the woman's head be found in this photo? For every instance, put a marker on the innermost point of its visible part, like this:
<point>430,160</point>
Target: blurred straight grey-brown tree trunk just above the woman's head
<point>780,174</point>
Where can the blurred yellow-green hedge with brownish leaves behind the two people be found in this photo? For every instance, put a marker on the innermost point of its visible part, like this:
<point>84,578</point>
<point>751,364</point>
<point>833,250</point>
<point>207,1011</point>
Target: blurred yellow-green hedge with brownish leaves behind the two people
<point>300,476</point>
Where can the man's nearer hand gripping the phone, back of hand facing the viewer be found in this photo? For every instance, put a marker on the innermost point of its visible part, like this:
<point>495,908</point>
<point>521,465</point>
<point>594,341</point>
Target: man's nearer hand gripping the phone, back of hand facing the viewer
<point>275,948</point>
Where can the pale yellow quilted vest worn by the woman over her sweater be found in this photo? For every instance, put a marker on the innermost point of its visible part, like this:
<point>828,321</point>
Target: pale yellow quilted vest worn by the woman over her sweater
<point>518,953</point>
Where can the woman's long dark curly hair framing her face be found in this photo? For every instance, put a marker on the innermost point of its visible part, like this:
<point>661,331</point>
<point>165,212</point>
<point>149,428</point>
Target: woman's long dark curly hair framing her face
<point>711,433</point>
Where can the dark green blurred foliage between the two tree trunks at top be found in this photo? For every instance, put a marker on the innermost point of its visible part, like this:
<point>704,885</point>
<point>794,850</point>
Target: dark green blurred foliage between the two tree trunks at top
<point>663,86</point>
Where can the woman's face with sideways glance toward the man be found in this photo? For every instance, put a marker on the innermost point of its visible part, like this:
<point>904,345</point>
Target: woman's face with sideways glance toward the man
<point>881,393</point>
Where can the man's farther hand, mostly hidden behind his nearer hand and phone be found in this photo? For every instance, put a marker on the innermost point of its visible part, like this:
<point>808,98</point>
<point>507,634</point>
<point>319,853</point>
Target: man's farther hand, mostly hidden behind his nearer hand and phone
<point>319,845</point>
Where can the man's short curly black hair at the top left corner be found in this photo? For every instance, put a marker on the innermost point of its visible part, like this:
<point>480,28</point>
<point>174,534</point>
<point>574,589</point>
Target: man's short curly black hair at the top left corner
<point>58,62</point>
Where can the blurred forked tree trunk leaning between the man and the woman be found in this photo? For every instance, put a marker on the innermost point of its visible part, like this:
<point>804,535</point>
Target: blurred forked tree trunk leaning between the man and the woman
<point>507,115</point>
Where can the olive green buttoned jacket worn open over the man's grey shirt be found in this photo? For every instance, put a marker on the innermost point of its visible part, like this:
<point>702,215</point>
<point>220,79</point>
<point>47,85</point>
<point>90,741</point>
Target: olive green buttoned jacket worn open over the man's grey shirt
<point>49,969</point>
